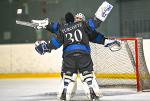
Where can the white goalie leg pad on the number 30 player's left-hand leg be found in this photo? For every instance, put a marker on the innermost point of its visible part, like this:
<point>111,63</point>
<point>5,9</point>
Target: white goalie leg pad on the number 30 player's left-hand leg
<point>68,86</point>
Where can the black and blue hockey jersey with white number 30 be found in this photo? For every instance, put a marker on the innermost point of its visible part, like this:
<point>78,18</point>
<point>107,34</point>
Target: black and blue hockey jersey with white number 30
<point>74,37</point>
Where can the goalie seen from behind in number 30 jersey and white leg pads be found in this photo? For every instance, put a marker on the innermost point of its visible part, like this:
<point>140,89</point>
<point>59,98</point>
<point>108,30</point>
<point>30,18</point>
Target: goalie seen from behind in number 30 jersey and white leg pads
<point>75,37</point>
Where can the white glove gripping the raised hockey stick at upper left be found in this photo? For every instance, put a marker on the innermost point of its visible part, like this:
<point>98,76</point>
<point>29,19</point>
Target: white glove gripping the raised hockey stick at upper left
<point>41,24</point>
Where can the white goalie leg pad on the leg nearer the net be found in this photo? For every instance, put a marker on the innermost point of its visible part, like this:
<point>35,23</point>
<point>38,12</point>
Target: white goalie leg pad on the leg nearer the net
<point>90,85</point>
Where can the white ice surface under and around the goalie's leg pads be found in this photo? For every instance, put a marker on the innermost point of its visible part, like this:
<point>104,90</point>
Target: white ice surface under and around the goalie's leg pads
<point>46,90</point>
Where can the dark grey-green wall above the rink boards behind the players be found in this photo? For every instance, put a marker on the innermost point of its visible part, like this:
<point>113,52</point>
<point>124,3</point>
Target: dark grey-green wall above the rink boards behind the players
<point>129,18</point>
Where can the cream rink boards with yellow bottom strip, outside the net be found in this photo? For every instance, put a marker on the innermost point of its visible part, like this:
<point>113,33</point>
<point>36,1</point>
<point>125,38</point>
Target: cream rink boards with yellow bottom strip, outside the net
<point>23,61</point>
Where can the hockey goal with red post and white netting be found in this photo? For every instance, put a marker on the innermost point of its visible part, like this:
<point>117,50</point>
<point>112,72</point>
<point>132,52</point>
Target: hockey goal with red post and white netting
<point>123,68</point>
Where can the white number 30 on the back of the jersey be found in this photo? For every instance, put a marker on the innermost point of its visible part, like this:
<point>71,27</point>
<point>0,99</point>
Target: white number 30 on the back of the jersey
<point>76,36</point>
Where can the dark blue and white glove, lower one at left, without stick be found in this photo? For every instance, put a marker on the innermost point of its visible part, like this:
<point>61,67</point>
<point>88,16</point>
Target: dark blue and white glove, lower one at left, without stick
<point>41,47</point>
